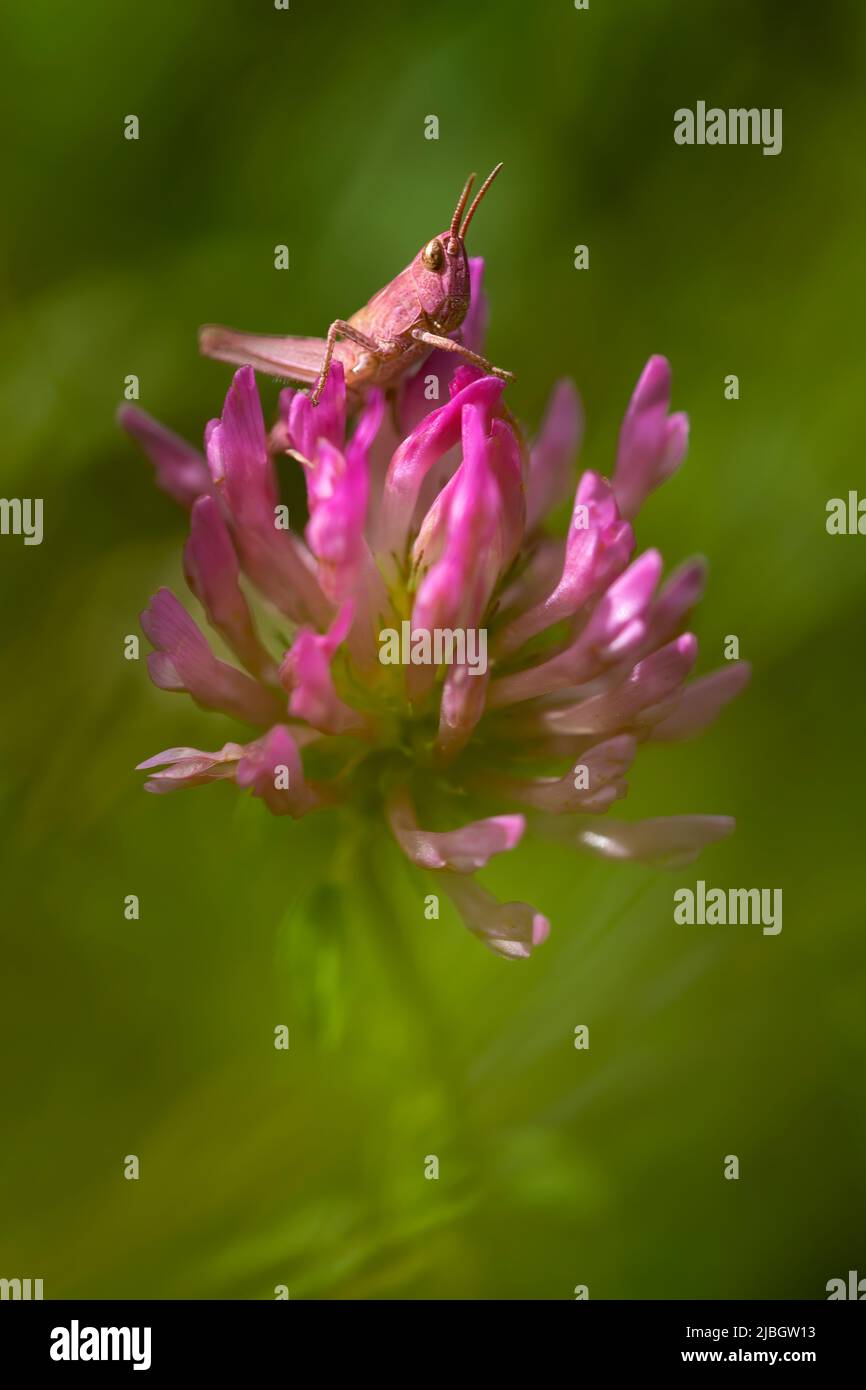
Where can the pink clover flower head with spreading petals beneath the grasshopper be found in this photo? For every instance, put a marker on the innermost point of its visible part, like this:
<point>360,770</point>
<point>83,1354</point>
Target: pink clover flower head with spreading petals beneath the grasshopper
<point>430,519</point>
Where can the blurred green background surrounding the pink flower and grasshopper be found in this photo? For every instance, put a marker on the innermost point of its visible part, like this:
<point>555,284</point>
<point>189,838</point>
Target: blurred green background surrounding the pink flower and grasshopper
<point>155,1038</point>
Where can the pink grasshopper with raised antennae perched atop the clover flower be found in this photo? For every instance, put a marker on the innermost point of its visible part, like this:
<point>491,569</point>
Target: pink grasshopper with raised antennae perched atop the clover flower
<point>419,311</point>
